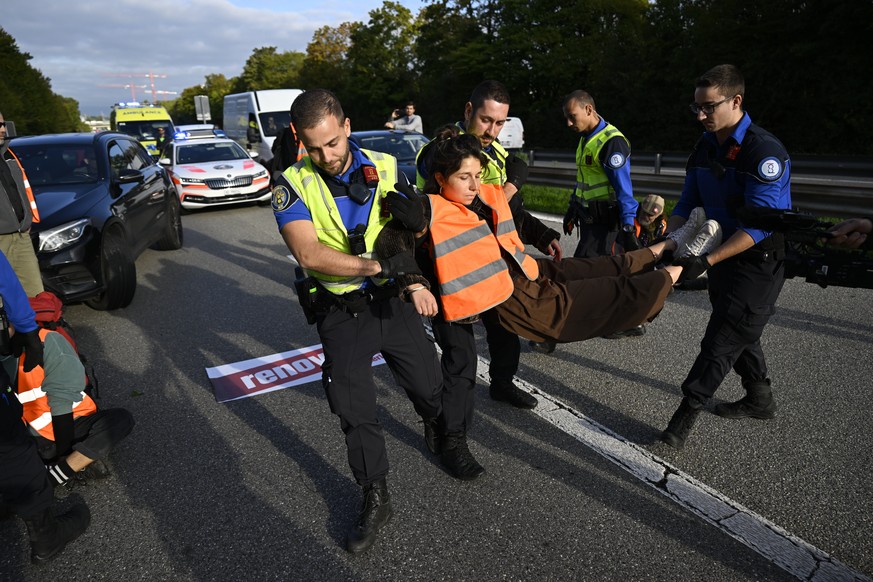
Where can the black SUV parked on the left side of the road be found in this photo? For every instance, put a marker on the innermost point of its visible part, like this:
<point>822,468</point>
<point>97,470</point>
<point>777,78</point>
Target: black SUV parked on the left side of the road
<point>102,200</point>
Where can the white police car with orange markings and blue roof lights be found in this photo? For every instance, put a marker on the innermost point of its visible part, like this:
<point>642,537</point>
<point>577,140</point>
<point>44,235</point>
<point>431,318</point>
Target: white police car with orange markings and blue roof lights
<point>210,170</point>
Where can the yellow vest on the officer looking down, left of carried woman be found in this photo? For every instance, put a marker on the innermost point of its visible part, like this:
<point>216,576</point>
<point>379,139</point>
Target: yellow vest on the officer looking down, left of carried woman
<point>326,217</point>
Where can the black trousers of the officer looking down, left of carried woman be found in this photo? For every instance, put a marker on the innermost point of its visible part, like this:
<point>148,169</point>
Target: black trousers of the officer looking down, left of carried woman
<point>350,341</point>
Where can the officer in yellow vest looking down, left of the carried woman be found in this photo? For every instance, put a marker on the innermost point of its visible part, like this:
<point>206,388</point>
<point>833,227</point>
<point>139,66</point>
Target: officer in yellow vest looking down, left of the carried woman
<point>329,207</point>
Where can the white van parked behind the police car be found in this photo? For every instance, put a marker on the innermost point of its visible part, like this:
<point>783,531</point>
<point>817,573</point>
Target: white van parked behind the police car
<point>253,119</point>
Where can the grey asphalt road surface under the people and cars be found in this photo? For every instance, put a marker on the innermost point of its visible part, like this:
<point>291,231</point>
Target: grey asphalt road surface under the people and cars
<point>259,488</point>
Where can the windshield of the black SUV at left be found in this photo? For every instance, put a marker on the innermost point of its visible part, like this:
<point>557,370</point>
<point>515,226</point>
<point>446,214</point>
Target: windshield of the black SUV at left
<point>51,165</point>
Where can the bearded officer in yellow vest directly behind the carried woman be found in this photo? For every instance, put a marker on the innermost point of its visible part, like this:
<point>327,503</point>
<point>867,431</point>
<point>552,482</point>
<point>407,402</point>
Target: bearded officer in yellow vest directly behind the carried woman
<point>484,116</point>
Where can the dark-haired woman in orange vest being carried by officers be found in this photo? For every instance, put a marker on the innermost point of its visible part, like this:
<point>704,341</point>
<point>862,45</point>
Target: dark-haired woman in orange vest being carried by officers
<point>479,263</point>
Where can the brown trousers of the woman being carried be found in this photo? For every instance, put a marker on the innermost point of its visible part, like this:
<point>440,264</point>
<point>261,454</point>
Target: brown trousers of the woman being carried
<point>578,299</point>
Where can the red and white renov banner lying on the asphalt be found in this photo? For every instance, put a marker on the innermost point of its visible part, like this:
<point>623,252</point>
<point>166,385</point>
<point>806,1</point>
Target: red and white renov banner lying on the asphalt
<point>269,373</point>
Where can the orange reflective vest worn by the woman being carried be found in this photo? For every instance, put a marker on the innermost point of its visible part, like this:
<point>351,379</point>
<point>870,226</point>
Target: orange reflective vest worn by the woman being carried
<point>472,273</point>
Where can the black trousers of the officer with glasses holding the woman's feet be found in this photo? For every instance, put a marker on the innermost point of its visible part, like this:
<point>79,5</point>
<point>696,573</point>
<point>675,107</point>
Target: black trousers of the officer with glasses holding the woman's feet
<point>743,291</point>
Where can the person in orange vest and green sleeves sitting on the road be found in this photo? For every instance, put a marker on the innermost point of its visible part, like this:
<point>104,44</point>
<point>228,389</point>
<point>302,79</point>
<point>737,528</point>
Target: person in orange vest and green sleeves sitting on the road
<point>73,434</point>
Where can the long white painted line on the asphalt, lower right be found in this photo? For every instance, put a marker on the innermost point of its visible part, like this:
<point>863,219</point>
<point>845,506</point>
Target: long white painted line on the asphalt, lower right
<point>784,549</point>
